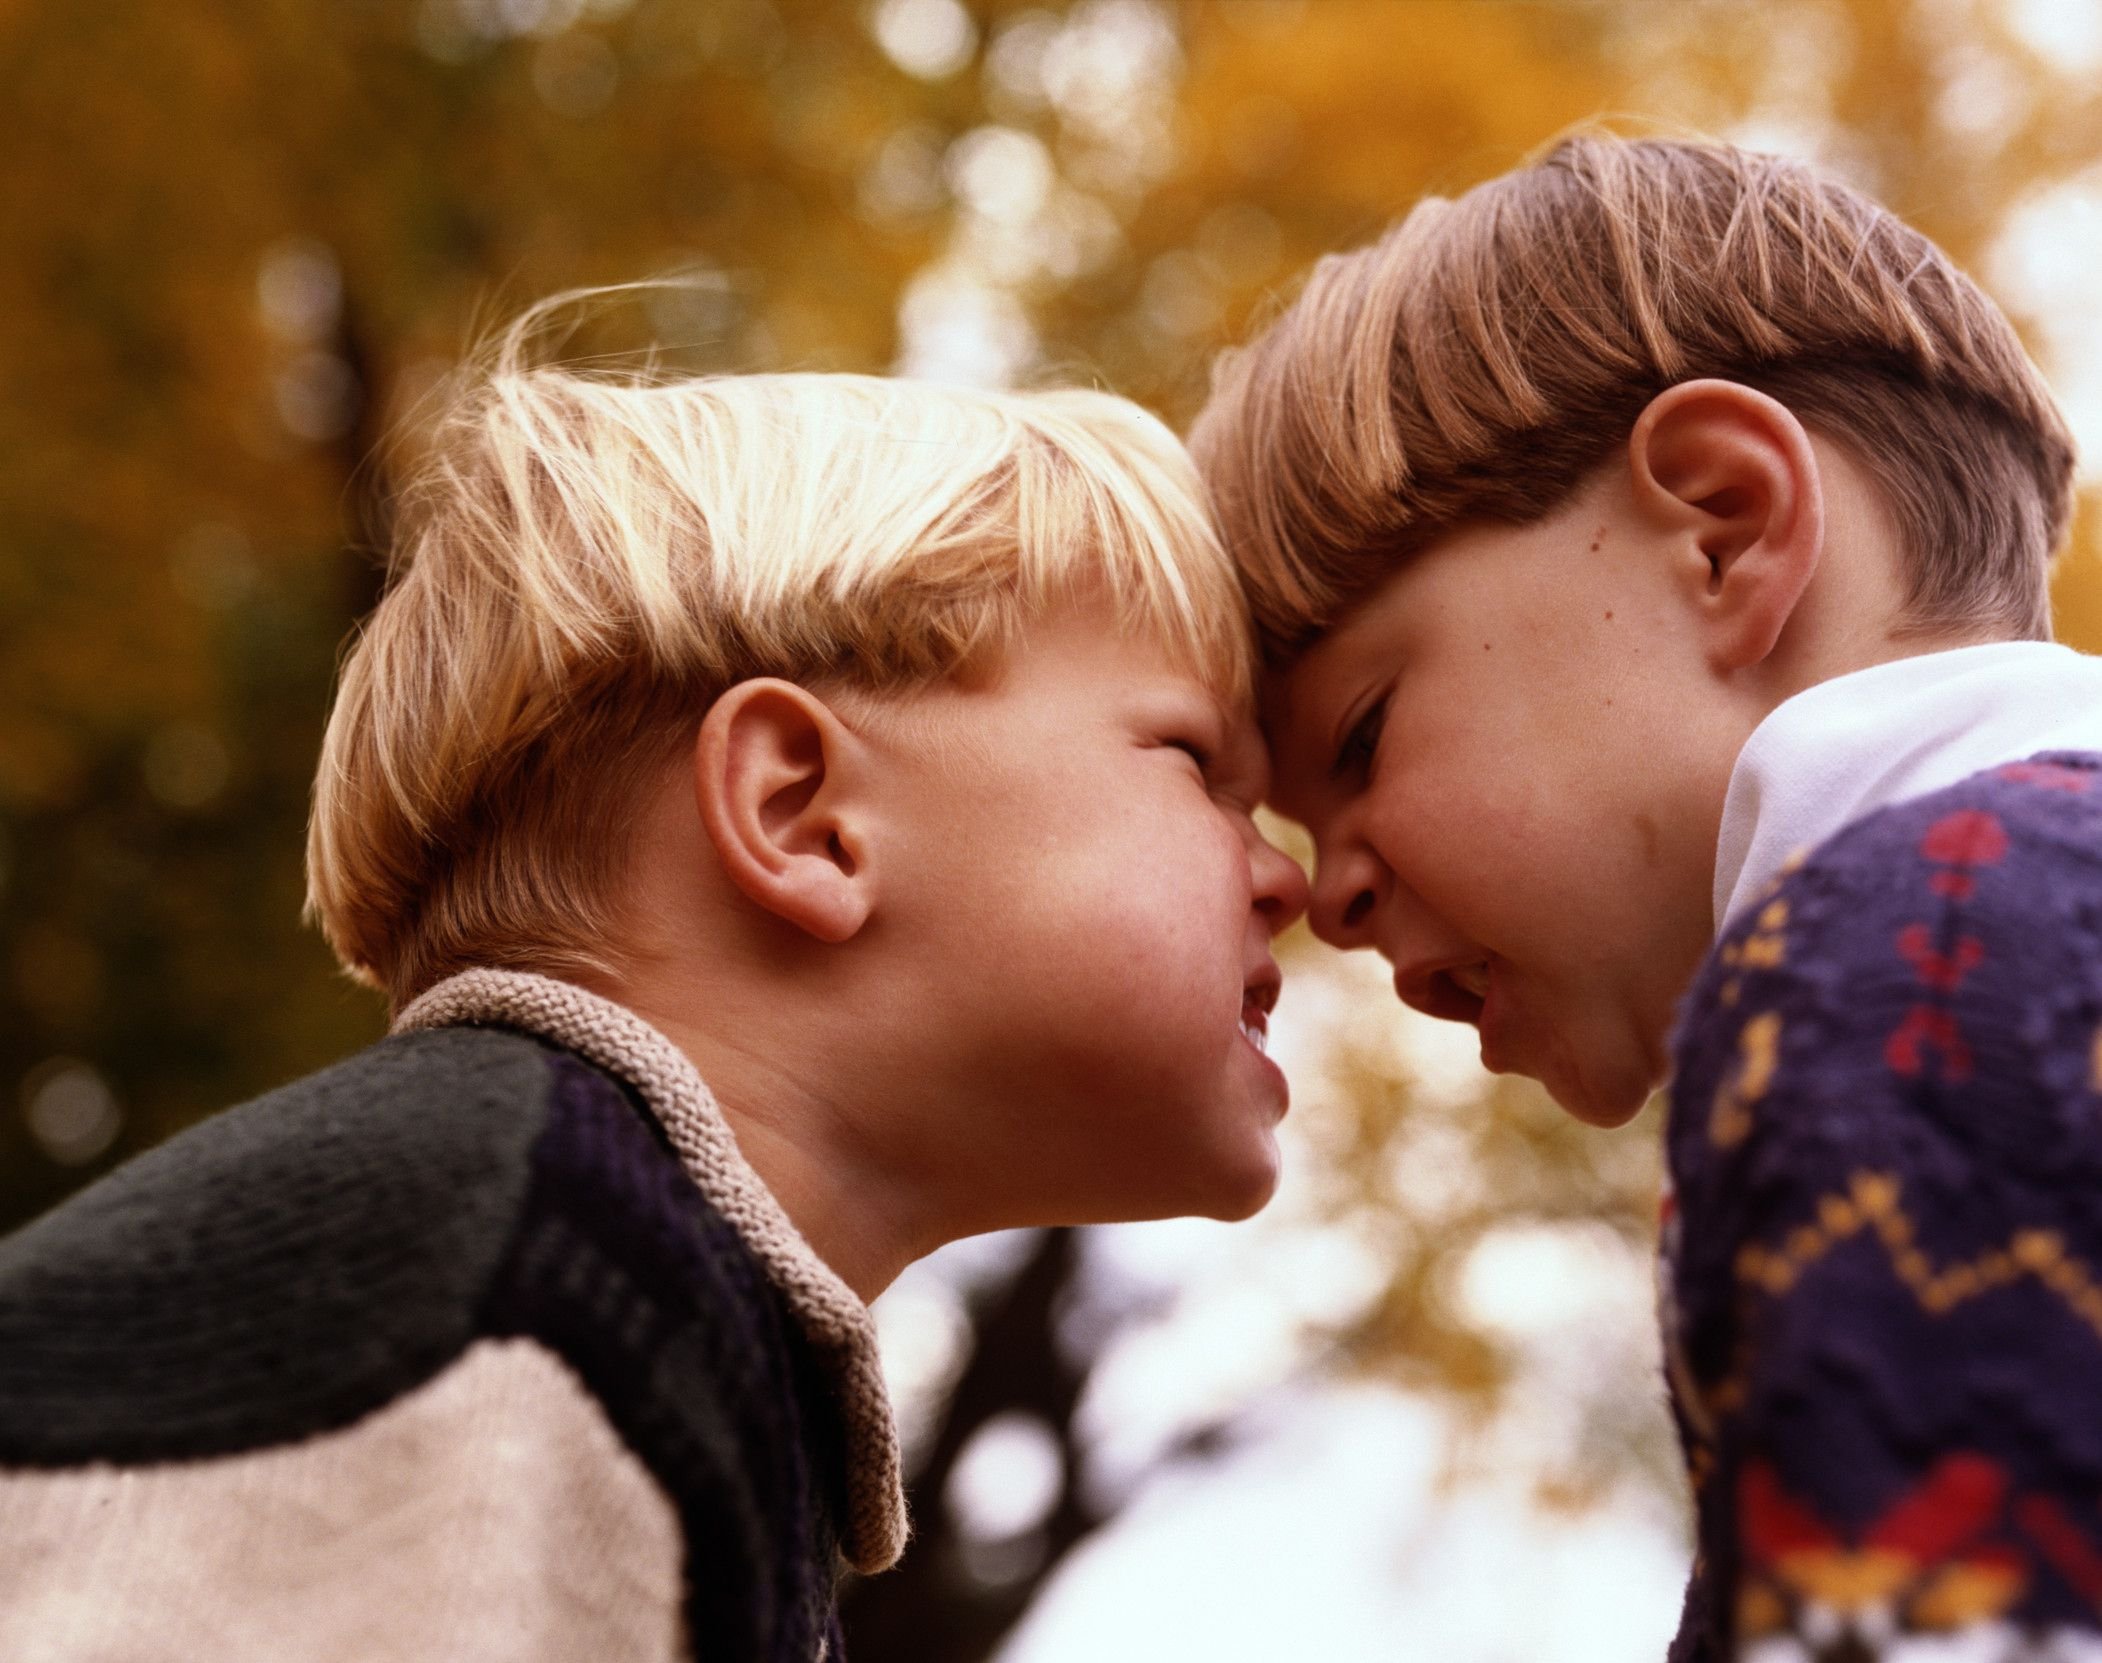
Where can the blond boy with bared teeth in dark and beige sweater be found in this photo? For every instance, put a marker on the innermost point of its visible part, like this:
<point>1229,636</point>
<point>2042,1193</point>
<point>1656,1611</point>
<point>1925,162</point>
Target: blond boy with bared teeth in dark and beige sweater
<point>796,821</point>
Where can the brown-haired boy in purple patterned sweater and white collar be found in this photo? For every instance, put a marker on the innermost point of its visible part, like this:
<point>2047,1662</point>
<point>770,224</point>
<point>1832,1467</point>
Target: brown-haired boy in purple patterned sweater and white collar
<point>1651,554</point>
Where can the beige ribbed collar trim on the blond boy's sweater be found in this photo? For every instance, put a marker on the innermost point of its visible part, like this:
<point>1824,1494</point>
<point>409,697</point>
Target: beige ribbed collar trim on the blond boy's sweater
<point>836,1321</point>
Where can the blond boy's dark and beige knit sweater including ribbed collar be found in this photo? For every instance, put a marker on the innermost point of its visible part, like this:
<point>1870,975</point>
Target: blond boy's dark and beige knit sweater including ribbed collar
<point>485,1344</point>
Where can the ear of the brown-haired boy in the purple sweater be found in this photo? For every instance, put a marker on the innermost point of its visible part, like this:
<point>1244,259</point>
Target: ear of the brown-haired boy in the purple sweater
<point>1733,476</point>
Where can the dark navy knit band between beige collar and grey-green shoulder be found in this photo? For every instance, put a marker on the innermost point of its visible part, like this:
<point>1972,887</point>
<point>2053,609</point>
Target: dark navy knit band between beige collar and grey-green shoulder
<point>655,1300</point>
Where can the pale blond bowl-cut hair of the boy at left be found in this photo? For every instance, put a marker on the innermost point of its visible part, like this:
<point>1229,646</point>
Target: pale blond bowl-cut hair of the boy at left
<point>590,560</point>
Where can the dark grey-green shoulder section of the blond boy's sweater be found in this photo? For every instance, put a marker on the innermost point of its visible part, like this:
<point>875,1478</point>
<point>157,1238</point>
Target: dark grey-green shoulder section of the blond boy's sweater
<point>276,1271</point>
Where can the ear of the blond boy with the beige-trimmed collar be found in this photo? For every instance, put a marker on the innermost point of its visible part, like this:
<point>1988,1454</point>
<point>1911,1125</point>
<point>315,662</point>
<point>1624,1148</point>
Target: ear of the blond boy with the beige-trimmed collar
<point>775,781</point>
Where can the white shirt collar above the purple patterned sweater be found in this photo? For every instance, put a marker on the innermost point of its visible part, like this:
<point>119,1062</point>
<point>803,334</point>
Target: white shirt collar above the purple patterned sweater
<point>1891,733</point>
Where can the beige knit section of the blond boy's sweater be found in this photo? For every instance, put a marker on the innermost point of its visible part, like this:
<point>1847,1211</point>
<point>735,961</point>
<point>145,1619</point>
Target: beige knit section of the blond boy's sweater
<point>487,1517</point>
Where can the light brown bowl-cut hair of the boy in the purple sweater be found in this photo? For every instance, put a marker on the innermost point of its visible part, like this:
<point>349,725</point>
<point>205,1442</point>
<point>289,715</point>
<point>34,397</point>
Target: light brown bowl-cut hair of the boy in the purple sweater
<point>1485,356</point>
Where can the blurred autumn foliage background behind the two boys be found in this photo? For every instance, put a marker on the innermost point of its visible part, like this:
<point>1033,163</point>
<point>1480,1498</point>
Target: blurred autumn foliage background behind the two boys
<point>1411,1412</point>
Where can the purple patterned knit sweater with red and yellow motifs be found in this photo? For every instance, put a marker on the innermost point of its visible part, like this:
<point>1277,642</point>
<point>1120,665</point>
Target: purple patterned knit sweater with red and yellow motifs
<point>1884,1265</point>
